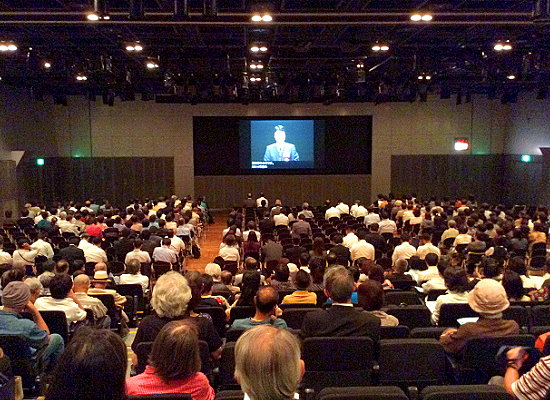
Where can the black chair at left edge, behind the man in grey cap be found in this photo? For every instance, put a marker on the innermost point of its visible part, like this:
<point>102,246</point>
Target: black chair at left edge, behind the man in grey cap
<point>24,364</point>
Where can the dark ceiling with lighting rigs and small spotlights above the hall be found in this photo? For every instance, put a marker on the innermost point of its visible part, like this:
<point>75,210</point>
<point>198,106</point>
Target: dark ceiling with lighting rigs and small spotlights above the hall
<point>314,47</point>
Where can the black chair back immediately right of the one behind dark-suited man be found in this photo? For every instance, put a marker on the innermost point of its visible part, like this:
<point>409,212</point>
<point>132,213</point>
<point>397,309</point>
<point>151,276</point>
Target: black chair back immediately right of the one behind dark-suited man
<point>412,362</point>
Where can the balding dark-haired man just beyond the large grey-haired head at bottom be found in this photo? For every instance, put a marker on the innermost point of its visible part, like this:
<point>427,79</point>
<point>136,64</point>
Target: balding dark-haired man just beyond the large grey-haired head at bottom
<point>267,311</point>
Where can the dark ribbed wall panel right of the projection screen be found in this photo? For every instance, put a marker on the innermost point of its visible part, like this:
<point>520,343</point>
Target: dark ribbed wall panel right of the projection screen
<point>493,178</point>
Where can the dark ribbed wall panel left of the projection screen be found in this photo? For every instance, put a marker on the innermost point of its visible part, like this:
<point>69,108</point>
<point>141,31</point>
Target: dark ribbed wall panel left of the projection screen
<point>115,178</point>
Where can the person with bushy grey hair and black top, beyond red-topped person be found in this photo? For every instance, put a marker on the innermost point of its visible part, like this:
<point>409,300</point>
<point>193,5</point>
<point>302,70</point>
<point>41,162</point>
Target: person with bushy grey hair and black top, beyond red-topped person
<point>170,301</point>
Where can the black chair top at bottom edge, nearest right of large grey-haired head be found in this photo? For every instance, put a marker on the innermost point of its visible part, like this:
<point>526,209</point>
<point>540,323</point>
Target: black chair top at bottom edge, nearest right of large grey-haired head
<point>363,393</point>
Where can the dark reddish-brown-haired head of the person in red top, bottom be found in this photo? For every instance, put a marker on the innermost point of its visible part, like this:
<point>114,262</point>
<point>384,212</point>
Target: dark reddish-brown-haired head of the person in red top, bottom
<point>175,354</point>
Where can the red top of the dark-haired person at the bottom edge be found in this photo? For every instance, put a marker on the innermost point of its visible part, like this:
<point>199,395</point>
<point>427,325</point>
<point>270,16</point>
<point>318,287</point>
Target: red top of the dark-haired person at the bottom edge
<point>197,385</point>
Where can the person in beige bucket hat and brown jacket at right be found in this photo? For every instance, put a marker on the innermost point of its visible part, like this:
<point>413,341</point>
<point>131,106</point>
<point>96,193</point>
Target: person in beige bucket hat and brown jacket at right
<point>488,298</point>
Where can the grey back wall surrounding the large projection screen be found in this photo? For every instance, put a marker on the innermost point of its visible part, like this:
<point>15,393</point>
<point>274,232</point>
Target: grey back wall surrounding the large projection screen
<point>147,129</point>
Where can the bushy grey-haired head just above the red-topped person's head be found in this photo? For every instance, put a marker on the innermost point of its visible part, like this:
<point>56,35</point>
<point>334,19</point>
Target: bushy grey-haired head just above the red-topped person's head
<point>171,295</point>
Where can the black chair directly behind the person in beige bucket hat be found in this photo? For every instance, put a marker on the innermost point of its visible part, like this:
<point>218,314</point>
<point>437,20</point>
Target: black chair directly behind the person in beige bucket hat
<point>478,361</point>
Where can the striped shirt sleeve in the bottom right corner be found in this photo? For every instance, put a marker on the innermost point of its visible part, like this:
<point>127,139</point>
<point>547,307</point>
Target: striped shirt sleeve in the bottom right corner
<point>535,384</point>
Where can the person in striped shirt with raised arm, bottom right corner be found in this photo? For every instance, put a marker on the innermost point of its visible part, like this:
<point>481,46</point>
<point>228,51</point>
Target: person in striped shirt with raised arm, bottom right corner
<point>533,385</point>
